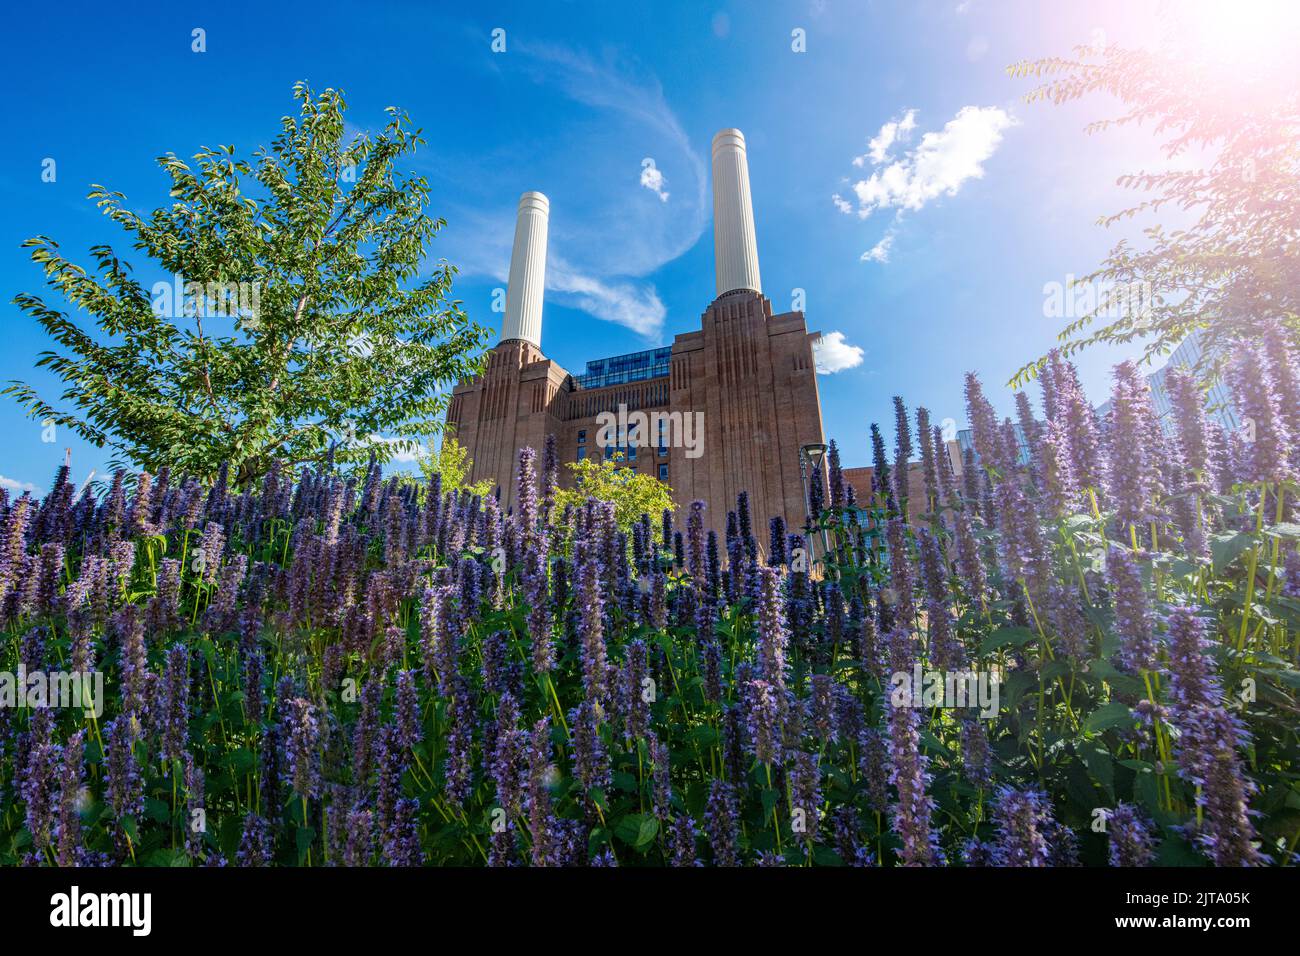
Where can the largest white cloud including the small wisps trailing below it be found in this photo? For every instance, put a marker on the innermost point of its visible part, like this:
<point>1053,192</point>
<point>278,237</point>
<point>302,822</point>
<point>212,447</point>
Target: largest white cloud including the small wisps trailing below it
<point>939,166</point>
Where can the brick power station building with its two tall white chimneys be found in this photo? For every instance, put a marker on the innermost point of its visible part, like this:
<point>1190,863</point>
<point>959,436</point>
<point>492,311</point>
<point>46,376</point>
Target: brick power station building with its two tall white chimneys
<point>727,406</point>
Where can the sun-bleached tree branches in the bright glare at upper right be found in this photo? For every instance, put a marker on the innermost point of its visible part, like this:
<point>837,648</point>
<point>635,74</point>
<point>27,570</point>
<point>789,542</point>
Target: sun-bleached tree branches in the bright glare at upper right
<point>1237,129</point>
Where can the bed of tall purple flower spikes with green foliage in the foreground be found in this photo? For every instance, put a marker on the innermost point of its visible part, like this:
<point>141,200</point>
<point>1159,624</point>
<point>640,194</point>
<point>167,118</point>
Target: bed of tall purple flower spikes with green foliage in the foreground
<point>327,672</point>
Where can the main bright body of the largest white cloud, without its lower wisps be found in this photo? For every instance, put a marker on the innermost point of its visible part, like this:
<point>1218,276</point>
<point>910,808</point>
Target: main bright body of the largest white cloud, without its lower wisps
<point>939,166</point>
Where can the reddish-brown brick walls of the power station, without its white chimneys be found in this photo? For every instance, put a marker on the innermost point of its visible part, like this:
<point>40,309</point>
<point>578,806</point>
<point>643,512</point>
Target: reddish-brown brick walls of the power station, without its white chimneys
<point>749,373</point>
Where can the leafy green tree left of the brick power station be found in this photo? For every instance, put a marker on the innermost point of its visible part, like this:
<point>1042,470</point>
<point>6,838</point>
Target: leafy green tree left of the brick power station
<point>305,321</point>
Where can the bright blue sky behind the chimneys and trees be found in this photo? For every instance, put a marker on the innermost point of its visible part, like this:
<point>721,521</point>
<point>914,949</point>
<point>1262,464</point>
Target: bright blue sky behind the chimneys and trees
<point>977,204</point>
